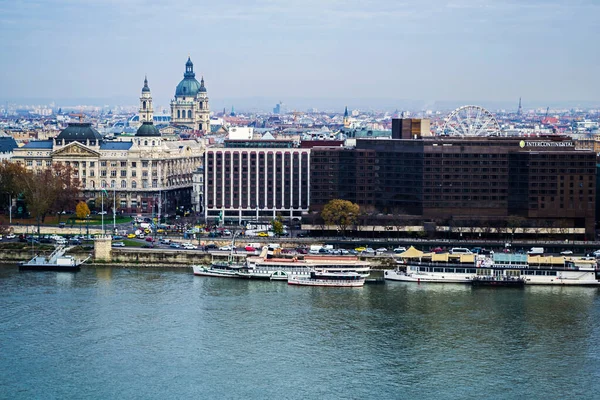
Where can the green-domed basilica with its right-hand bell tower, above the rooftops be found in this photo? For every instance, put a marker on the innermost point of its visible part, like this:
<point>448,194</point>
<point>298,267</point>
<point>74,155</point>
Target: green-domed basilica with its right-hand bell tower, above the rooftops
<point>190,105</point>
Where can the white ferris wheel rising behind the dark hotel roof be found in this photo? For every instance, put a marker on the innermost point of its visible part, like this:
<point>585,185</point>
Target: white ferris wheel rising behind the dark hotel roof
<point>471,121</point>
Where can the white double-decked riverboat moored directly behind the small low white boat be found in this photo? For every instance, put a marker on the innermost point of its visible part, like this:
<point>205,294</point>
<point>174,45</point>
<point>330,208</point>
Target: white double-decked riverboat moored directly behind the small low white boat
<point>274,267</point>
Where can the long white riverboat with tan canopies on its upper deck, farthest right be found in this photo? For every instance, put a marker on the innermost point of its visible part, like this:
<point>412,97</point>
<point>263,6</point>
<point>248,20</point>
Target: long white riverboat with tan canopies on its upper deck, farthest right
<point>500,268</point>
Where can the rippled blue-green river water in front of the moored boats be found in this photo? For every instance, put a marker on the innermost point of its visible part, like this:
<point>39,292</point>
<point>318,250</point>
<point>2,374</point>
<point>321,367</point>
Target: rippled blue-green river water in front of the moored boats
<point>109,333</point>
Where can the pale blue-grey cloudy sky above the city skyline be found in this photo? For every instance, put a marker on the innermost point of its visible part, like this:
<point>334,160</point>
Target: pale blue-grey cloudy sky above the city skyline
<point>351,51</point>
